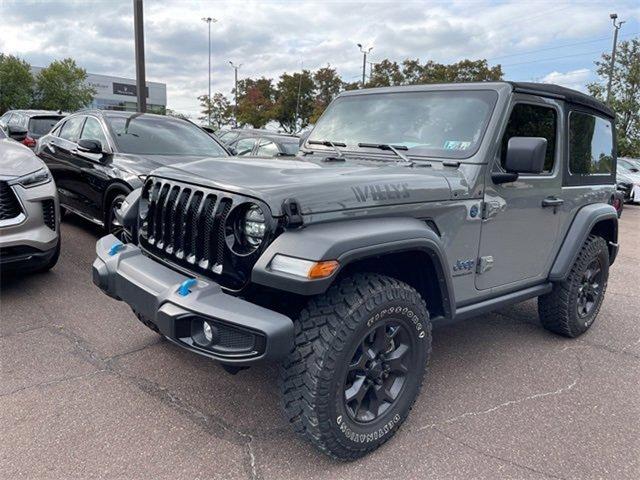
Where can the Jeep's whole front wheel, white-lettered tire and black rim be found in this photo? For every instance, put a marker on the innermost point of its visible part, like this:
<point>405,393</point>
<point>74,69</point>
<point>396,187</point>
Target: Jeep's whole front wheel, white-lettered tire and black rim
<point>357,367</point>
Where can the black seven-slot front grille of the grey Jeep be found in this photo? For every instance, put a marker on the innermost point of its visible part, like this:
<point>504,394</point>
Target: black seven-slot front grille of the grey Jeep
<point>185,224</point>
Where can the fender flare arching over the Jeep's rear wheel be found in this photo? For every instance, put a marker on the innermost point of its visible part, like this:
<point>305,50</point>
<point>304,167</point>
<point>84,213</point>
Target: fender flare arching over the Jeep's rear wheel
<point>583,224</point>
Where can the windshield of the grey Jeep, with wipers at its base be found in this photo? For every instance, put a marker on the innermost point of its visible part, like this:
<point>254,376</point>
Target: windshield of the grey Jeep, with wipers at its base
<point>446,124</point>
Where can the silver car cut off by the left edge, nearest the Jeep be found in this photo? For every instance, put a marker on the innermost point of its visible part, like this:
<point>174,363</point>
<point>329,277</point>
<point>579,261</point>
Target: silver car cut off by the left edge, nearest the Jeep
<point>29,218</point>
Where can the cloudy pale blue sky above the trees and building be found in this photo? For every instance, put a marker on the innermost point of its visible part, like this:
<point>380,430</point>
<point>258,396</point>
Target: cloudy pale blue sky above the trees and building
<point>541,40</point>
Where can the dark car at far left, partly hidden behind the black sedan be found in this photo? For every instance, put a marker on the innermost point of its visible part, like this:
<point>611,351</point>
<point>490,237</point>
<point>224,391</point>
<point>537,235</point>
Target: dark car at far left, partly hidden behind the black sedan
<point>27,126</point>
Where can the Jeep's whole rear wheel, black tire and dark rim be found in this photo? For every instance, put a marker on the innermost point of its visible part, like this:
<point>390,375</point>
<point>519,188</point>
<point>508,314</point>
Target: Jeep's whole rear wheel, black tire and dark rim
<point>573,305</point>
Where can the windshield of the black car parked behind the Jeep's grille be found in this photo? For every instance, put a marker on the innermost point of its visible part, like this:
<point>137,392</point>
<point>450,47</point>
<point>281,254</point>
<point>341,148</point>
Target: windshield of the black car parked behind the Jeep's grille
<point>155,135</point>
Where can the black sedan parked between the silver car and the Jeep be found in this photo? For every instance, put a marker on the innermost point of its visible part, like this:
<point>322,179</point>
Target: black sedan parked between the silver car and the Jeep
<point>97,157</point>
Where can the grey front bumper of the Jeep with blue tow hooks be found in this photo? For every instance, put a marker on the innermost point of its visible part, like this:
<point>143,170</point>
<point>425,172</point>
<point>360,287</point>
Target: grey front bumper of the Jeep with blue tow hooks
<point>245,333</point>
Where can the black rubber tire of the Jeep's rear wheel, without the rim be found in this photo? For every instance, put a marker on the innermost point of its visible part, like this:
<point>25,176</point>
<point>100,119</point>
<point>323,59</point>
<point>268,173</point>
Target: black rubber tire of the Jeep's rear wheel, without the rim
<point>558,310</point>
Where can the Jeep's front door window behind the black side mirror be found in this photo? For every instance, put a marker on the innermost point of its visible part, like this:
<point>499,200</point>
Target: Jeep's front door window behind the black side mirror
<point>528,120</point>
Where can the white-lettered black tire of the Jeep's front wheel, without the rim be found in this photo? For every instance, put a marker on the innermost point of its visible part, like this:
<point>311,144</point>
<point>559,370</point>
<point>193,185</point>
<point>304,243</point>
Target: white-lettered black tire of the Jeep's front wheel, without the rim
<point>328,331</point>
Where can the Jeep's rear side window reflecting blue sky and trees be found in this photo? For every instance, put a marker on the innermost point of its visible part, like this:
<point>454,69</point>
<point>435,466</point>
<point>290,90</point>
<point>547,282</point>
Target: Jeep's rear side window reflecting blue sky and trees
<point>590,144</point>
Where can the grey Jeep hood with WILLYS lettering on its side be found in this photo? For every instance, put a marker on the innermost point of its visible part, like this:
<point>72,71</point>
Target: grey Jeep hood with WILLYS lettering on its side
<point>317,186</point>
